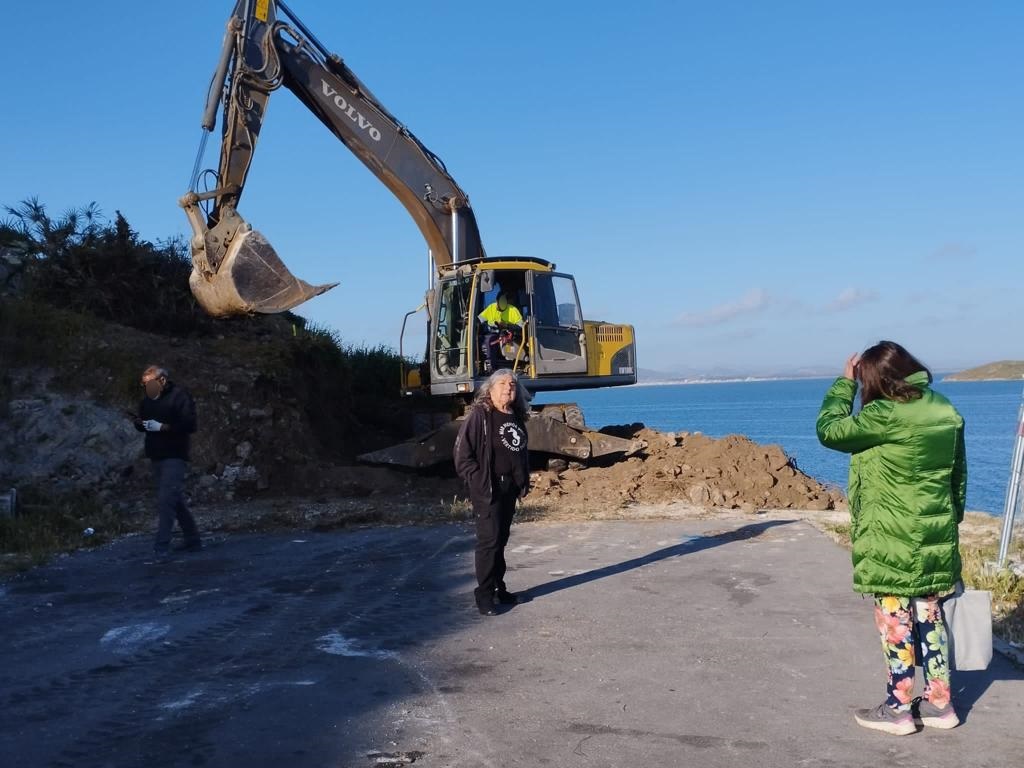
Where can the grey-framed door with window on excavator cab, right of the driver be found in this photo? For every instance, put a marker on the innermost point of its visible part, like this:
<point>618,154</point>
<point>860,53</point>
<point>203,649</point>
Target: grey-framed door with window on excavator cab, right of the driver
<point>558,325</point>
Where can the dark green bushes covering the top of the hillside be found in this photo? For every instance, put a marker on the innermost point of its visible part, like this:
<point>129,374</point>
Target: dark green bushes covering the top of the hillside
<point>86,281</point>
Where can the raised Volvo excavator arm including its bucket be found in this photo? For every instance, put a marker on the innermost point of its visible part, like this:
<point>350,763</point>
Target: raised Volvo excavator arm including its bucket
<point>235,269</point>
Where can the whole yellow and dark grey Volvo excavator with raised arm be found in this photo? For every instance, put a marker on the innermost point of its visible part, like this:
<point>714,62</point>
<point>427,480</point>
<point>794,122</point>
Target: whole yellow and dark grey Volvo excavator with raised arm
<point>237,272</point>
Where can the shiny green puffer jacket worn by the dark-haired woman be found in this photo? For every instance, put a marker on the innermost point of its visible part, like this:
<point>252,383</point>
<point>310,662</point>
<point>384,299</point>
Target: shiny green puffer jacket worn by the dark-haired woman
<point>908,488</point>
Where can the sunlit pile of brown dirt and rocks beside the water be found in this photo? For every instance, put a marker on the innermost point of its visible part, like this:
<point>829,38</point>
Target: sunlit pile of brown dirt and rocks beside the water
<point>733,473</point>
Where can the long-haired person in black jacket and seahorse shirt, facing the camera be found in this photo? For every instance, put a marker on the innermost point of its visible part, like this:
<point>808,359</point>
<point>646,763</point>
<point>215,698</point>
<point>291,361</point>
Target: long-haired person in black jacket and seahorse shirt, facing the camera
<point>491,457</point>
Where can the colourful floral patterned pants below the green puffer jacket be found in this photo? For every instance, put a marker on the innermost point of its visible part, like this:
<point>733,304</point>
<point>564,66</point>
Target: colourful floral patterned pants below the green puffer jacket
<point>905,623</point>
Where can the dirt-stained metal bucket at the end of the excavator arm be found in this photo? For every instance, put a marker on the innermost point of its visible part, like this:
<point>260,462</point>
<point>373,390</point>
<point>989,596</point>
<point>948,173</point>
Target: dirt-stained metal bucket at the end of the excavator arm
<point>251,279</point>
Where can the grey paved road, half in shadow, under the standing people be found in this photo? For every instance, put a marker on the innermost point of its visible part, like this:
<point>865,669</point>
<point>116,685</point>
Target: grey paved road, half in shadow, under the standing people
<point>699,644</point>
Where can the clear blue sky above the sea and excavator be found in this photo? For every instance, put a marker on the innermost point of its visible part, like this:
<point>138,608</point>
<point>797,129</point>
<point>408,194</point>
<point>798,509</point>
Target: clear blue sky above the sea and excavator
<point>756,187</point>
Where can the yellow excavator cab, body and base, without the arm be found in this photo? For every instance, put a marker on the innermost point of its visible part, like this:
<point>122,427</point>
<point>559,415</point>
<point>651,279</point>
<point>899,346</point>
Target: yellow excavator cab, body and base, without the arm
<point>551,348</point>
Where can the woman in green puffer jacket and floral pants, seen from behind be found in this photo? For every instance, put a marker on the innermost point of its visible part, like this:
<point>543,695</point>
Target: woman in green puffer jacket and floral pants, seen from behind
<point>908,491</point>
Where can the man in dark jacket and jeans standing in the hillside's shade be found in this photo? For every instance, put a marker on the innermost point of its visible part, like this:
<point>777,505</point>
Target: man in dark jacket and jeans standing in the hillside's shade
<point>167,415</point>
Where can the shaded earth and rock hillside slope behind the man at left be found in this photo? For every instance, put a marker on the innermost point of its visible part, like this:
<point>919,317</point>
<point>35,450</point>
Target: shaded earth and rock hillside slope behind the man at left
<point>277,403</point>
